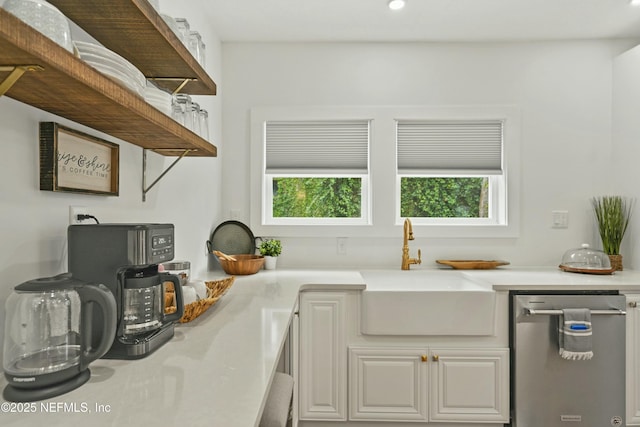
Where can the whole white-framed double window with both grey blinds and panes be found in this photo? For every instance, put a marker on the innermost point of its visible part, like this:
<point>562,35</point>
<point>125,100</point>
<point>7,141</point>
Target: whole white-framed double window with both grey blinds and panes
<point>361,170</point>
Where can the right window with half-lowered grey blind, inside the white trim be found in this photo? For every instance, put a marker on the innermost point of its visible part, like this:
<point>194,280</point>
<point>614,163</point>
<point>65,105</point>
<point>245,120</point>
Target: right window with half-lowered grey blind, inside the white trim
<point>450,170</point>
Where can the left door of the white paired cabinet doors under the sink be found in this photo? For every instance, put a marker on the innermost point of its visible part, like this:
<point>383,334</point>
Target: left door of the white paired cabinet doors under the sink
<point>388,384</point>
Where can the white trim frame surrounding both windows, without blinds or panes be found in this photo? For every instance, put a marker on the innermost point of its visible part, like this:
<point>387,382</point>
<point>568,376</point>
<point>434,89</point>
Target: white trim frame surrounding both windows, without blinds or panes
<point>383,190</point>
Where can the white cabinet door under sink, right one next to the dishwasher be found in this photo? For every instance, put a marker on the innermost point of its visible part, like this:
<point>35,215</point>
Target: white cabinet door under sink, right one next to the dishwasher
<point>469,385</point>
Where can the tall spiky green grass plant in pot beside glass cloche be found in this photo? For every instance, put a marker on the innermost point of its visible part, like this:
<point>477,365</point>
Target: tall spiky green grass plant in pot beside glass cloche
<point>613,214</point>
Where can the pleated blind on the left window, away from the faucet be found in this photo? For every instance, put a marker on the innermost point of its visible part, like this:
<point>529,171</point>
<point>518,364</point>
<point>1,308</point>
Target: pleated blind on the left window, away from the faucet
<point>317,146</point>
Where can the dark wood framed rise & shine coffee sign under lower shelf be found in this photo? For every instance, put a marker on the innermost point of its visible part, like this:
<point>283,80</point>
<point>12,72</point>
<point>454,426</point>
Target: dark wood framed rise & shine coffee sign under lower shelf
<point>73,161</point>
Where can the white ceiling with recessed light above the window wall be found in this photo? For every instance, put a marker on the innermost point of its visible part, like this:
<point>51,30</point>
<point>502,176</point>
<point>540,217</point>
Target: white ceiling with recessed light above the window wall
<point>422,20</point>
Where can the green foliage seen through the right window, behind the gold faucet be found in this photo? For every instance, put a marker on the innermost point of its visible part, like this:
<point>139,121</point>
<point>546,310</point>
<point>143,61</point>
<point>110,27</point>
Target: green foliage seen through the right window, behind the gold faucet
<point>444,197</point>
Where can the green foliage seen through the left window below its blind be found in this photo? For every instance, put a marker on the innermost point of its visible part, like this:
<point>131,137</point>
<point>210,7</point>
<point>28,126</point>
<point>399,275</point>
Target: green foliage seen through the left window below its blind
<point>317,197</point>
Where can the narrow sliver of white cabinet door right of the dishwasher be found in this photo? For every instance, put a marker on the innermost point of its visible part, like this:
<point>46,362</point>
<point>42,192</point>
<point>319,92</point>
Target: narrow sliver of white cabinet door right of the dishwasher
<point>633,360</point>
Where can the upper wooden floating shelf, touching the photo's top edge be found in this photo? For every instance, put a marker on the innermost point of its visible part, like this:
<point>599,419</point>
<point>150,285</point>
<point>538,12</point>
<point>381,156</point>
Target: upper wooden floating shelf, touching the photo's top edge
<point>133,29</point>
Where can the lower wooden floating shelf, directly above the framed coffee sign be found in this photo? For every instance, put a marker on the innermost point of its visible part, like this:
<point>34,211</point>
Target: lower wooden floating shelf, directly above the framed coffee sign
<point>68,87</point>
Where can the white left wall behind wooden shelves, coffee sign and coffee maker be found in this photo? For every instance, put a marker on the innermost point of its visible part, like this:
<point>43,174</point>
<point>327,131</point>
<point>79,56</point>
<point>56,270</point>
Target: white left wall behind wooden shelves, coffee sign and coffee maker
<point>33,223</point>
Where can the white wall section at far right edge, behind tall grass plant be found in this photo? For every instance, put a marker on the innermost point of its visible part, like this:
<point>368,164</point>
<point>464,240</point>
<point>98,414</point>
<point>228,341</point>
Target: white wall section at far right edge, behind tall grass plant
<point>626,144</point>
